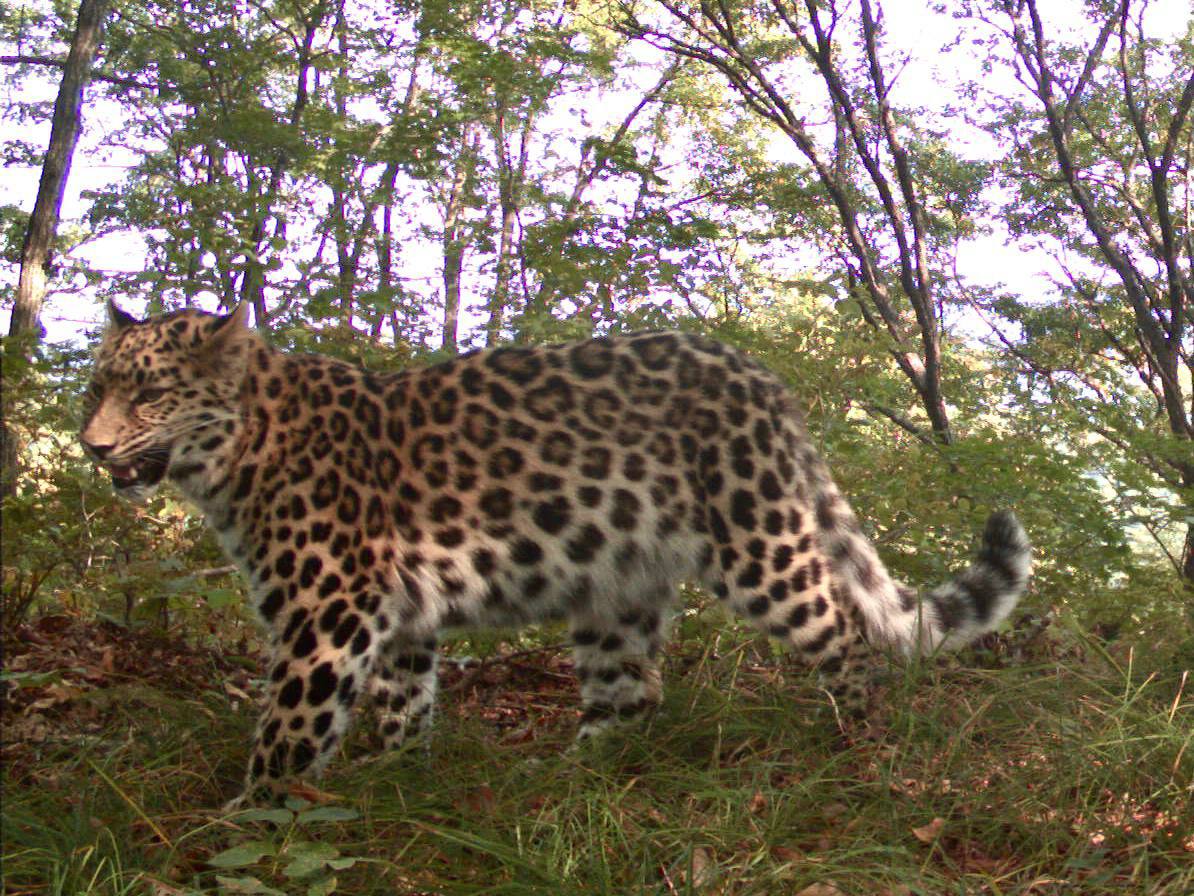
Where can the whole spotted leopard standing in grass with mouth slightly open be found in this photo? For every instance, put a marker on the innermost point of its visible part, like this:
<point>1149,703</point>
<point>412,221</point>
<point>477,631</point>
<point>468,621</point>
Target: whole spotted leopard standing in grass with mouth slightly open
<point>586,483</point>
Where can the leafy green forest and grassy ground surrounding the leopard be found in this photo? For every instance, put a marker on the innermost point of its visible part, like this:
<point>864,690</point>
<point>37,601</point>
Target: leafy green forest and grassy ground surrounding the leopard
<point>959,230</point>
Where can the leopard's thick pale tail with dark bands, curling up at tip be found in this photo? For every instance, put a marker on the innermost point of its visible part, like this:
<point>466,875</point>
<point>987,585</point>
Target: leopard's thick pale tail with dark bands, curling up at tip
<point>949,617</point>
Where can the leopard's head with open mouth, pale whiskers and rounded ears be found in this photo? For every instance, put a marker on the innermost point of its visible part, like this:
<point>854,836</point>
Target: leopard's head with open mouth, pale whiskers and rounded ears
<point>164,395</point>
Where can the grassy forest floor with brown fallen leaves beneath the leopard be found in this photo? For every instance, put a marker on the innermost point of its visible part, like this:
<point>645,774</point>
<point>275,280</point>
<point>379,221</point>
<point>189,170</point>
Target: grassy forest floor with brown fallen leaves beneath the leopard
<point>1061,769</point>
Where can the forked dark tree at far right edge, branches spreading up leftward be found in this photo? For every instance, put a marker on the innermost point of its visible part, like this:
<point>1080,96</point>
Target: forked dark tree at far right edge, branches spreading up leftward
<point>1150,259</point>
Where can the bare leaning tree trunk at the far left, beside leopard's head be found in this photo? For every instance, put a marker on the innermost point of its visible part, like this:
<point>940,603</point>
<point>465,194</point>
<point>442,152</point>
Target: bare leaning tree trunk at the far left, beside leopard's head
<point>26,329</point>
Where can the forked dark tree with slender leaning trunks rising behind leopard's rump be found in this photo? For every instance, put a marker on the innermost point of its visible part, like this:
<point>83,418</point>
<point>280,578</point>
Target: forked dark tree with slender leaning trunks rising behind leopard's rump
<point>866,126</point>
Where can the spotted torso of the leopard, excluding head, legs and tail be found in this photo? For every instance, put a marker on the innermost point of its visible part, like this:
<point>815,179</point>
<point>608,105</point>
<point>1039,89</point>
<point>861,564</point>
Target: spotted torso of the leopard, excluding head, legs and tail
<point>520,483</point>
